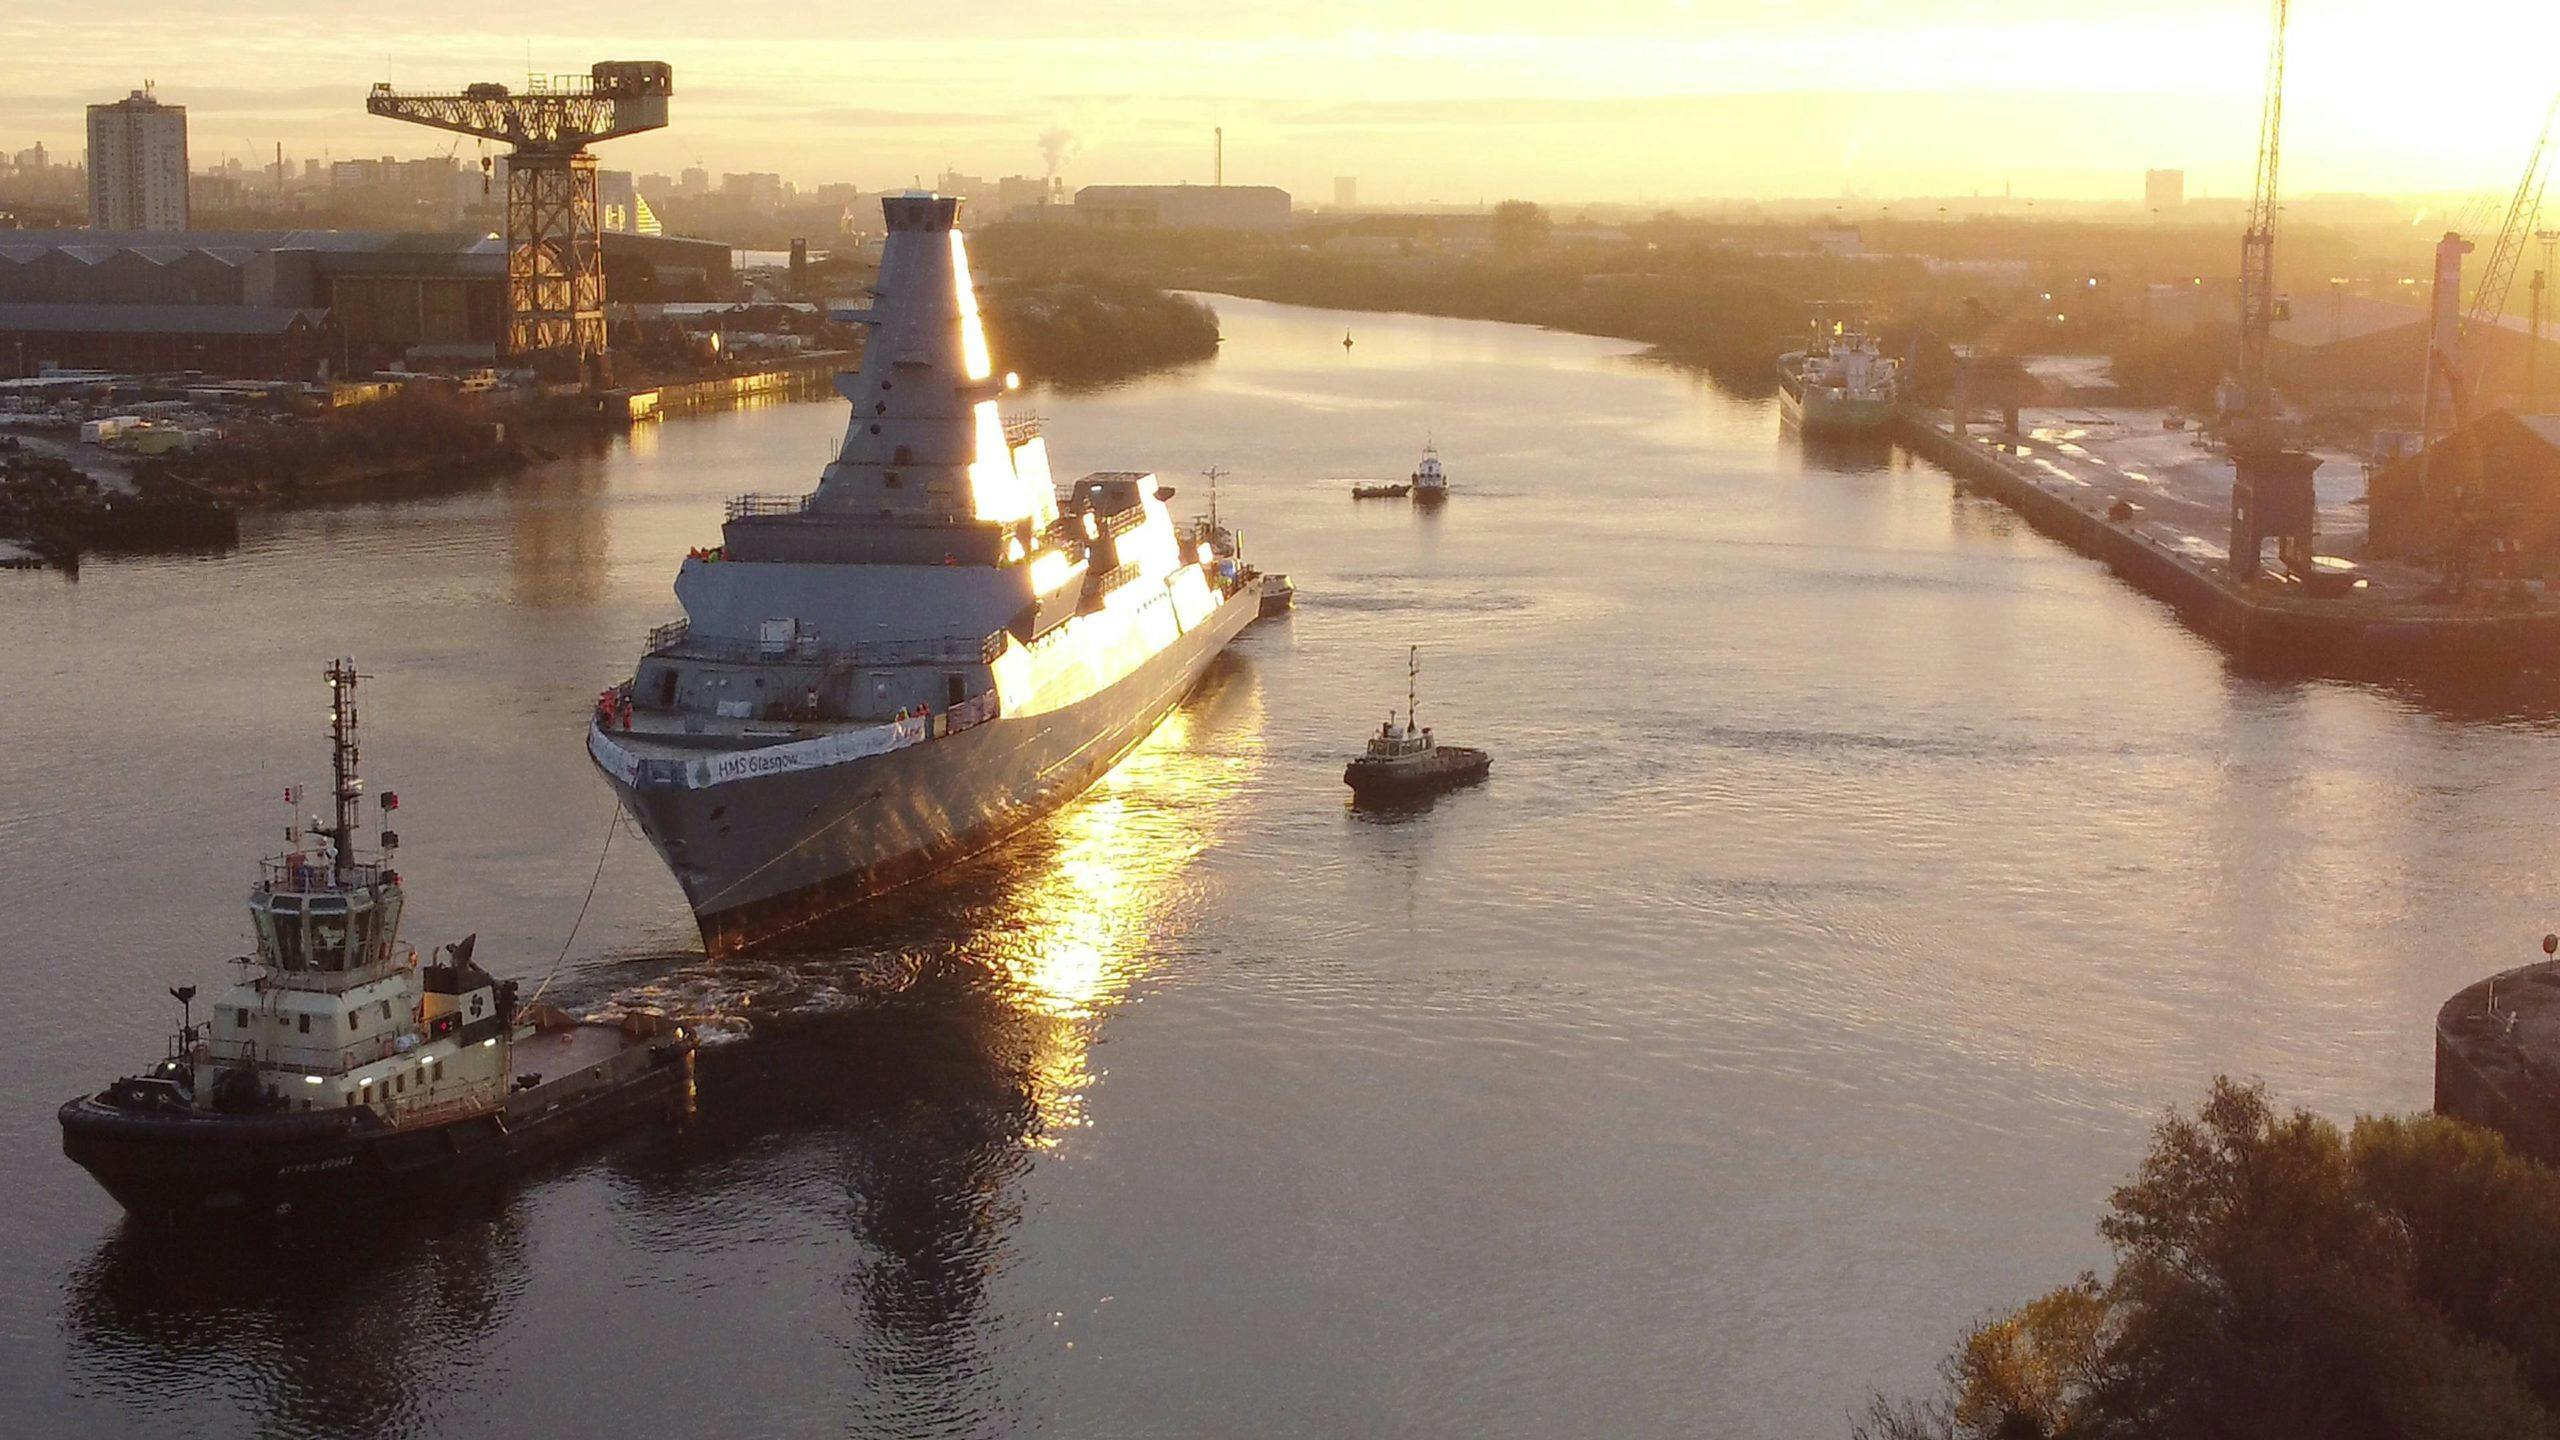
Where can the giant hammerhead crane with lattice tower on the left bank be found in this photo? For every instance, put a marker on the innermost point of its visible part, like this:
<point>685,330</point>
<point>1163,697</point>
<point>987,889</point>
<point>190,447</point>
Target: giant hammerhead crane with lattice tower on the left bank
<point>554,250</point>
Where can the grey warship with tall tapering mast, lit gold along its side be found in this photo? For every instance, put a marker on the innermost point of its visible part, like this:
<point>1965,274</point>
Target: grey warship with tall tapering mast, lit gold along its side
<point>923,655</point>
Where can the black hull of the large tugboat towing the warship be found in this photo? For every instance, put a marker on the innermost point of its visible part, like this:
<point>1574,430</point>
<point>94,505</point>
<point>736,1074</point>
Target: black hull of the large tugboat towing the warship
<point>211,1167</point>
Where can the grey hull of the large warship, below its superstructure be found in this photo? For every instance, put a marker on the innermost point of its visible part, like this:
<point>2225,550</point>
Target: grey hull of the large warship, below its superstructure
<point>769,855</point>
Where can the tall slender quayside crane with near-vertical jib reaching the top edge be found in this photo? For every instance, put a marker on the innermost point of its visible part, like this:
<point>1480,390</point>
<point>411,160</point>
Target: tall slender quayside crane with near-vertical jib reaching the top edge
<point>2272,486</point>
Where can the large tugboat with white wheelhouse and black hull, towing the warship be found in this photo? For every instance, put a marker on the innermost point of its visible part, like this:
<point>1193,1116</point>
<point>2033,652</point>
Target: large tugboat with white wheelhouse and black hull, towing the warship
<point>342,1067</point>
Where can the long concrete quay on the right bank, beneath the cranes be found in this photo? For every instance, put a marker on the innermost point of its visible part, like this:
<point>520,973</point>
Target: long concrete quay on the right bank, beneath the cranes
<point>2385,624</point>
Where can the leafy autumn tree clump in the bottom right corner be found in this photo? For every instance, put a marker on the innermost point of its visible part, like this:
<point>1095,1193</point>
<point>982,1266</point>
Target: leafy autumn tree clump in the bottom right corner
<point>2277,1277</point>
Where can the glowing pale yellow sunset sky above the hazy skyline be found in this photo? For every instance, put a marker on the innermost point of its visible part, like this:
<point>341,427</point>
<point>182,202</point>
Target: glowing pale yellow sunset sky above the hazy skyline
<point>1420,99</point>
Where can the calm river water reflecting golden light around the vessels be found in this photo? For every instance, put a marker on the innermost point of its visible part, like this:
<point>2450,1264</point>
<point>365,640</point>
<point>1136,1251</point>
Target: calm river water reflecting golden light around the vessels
<point>1857,883</point>
